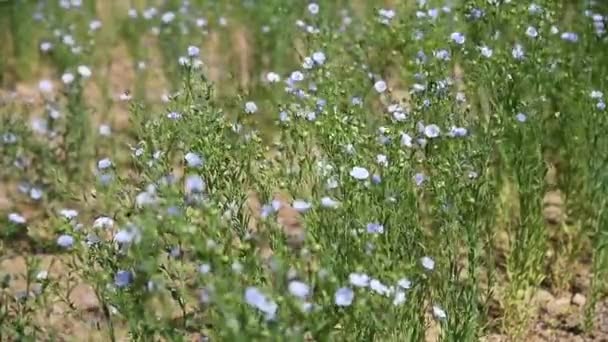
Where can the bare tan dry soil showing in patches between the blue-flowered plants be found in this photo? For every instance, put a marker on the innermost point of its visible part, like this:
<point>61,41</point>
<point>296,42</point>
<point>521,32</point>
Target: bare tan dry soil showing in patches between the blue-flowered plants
<point>557,318</point>
